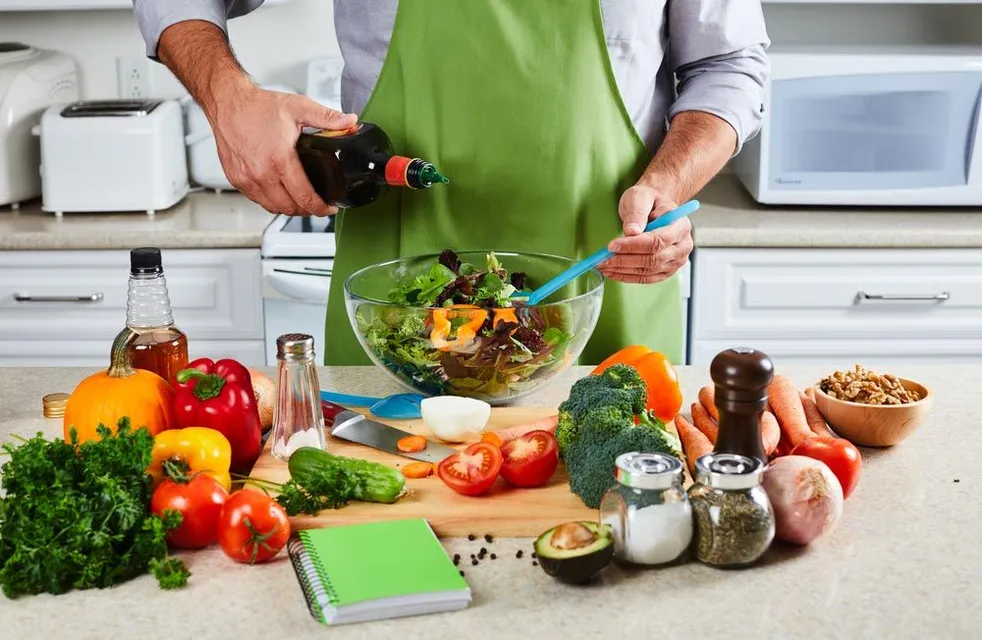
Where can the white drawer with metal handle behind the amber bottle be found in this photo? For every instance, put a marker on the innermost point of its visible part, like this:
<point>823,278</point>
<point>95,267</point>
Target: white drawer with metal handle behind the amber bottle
<point>215,294</point>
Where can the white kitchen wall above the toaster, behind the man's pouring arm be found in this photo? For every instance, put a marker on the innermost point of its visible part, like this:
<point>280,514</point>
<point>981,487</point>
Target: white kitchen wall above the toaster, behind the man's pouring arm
<point>273,43</point>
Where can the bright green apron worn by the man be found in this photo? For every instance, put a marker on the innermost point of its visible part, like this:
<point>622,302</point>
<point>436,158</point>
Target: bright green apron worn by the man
<point>516,101</point>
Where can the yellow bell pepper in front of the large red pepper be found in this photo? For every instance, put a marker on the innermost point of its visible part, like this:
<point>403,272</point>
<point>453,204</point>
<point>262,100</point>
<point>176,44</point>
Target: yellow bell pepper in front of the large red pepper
<point>203,450</point>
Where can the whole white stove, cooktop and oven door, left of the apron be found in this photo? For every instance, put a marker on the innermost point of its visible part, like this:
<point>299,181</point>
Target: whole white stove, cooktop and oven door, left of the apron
<point>297,259</point>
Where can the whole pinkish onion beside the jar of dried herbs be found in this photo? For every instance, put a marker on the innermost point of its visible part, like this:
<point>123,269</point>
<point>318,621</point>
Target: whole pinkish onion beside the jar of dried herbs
<point>806,496</point>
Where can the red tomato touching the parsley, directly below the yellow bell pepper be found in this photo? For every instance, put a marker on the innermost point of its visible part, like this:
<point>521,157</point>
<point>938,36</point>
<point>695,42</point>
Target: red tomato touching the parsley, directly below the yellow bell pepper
<point>199,501</point>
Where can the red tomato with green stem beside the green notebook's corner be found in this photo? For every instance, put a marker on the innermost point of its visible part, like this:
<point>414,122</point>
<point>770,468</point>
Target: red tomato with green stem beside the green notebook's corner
<point>253,527</point>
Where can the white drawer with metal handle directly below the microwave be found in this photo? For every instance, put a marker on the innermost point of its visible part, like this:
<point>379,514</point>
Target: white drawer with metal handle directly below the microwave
<point>837,293</point>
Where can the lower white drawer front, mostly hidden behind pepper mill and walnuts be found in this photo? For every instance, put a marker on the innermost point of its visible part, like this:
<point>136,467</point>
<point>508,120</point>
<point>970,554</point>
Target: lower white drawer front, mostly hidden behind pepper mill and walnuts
<point>895,356</point>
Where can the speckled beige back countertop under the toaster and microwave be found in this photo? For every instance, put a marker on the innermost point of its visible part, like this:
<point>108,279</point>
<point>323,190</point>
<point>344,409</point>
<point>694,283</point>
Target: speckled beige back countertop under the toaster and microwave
<point>728,218</point>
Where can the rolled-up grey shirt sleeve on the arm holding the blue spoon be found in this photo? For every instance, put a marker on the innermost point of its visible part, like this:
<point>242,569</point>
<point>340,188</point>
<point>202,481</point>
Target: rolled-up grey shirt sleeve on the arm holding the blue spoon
<point>717,50</point>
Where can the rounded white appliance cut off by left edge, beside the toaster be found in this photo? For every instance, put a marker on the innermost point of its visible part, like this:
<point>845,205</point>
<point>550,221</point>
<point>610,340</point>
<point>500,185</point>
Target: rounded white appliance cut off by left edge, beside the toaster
<point>31,80</point>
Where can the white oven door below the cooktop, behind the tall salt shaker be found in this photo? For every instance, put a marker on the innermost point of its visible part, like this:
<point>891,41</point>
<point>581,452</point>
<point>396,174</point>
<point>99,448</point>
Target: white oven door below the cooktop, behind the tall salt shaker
<point>295,300</point>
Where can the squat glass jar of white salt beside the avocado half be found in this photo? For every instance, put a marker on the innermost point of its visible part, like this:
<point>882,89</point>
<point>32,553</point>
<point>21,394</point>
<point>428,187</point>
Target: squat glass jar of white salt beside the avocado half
<point>647,510</point>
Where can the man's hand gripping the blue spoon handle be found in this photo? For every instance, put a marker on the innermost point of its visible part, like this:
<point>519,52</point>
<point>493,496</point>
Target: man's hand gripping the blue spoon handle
<point>647,257</point>
